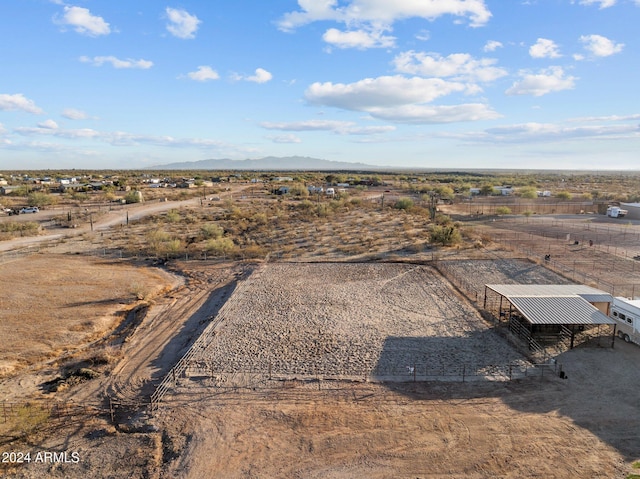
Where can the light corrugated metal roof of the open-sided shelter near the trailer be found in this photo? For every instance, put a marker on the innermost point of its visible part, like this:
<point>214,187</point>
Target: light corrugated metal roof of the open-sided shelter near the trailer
<point>556,303</point>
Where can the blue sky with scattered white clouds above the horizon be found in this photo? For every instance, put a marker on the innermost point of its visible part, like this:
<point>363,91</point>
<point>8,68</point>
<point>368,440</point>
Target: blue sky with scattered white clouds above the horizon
<point>536,84</point>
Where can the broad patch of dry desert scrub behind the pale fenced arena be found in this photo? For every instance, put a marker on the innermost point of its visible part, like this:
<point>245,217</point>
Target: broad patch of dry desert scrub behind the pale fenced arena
<point>291,228</point>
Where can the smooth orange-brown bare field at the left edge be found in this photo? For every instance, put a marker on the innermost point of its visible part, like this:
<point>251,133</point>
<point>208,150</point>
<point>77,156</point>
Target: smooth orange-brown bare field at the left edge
<point>52,304</point>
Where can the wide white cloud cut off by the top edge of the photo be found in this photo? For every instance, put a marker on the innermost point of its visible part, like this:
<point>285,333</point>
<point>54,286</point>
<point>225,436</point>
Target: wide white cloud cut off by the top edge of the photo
<point>383,12</point>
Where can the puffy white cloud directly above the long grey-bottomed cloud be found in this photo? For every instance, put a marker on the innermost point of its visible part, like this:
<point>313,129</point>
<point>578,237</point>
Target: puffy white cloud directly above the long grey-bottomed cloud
<point>459,66</point>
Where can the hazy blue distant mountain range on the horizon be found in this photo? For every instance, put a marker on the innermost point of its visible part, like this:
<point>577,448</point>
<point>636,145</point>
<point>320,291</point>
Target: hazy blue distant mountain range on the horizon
<point>287,163</point>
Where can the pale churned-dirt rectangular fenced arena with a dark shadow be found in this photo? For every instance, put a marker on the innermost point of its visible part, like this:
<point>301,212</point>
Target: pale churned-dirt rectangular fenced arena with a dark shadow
<point>354,321</point>
